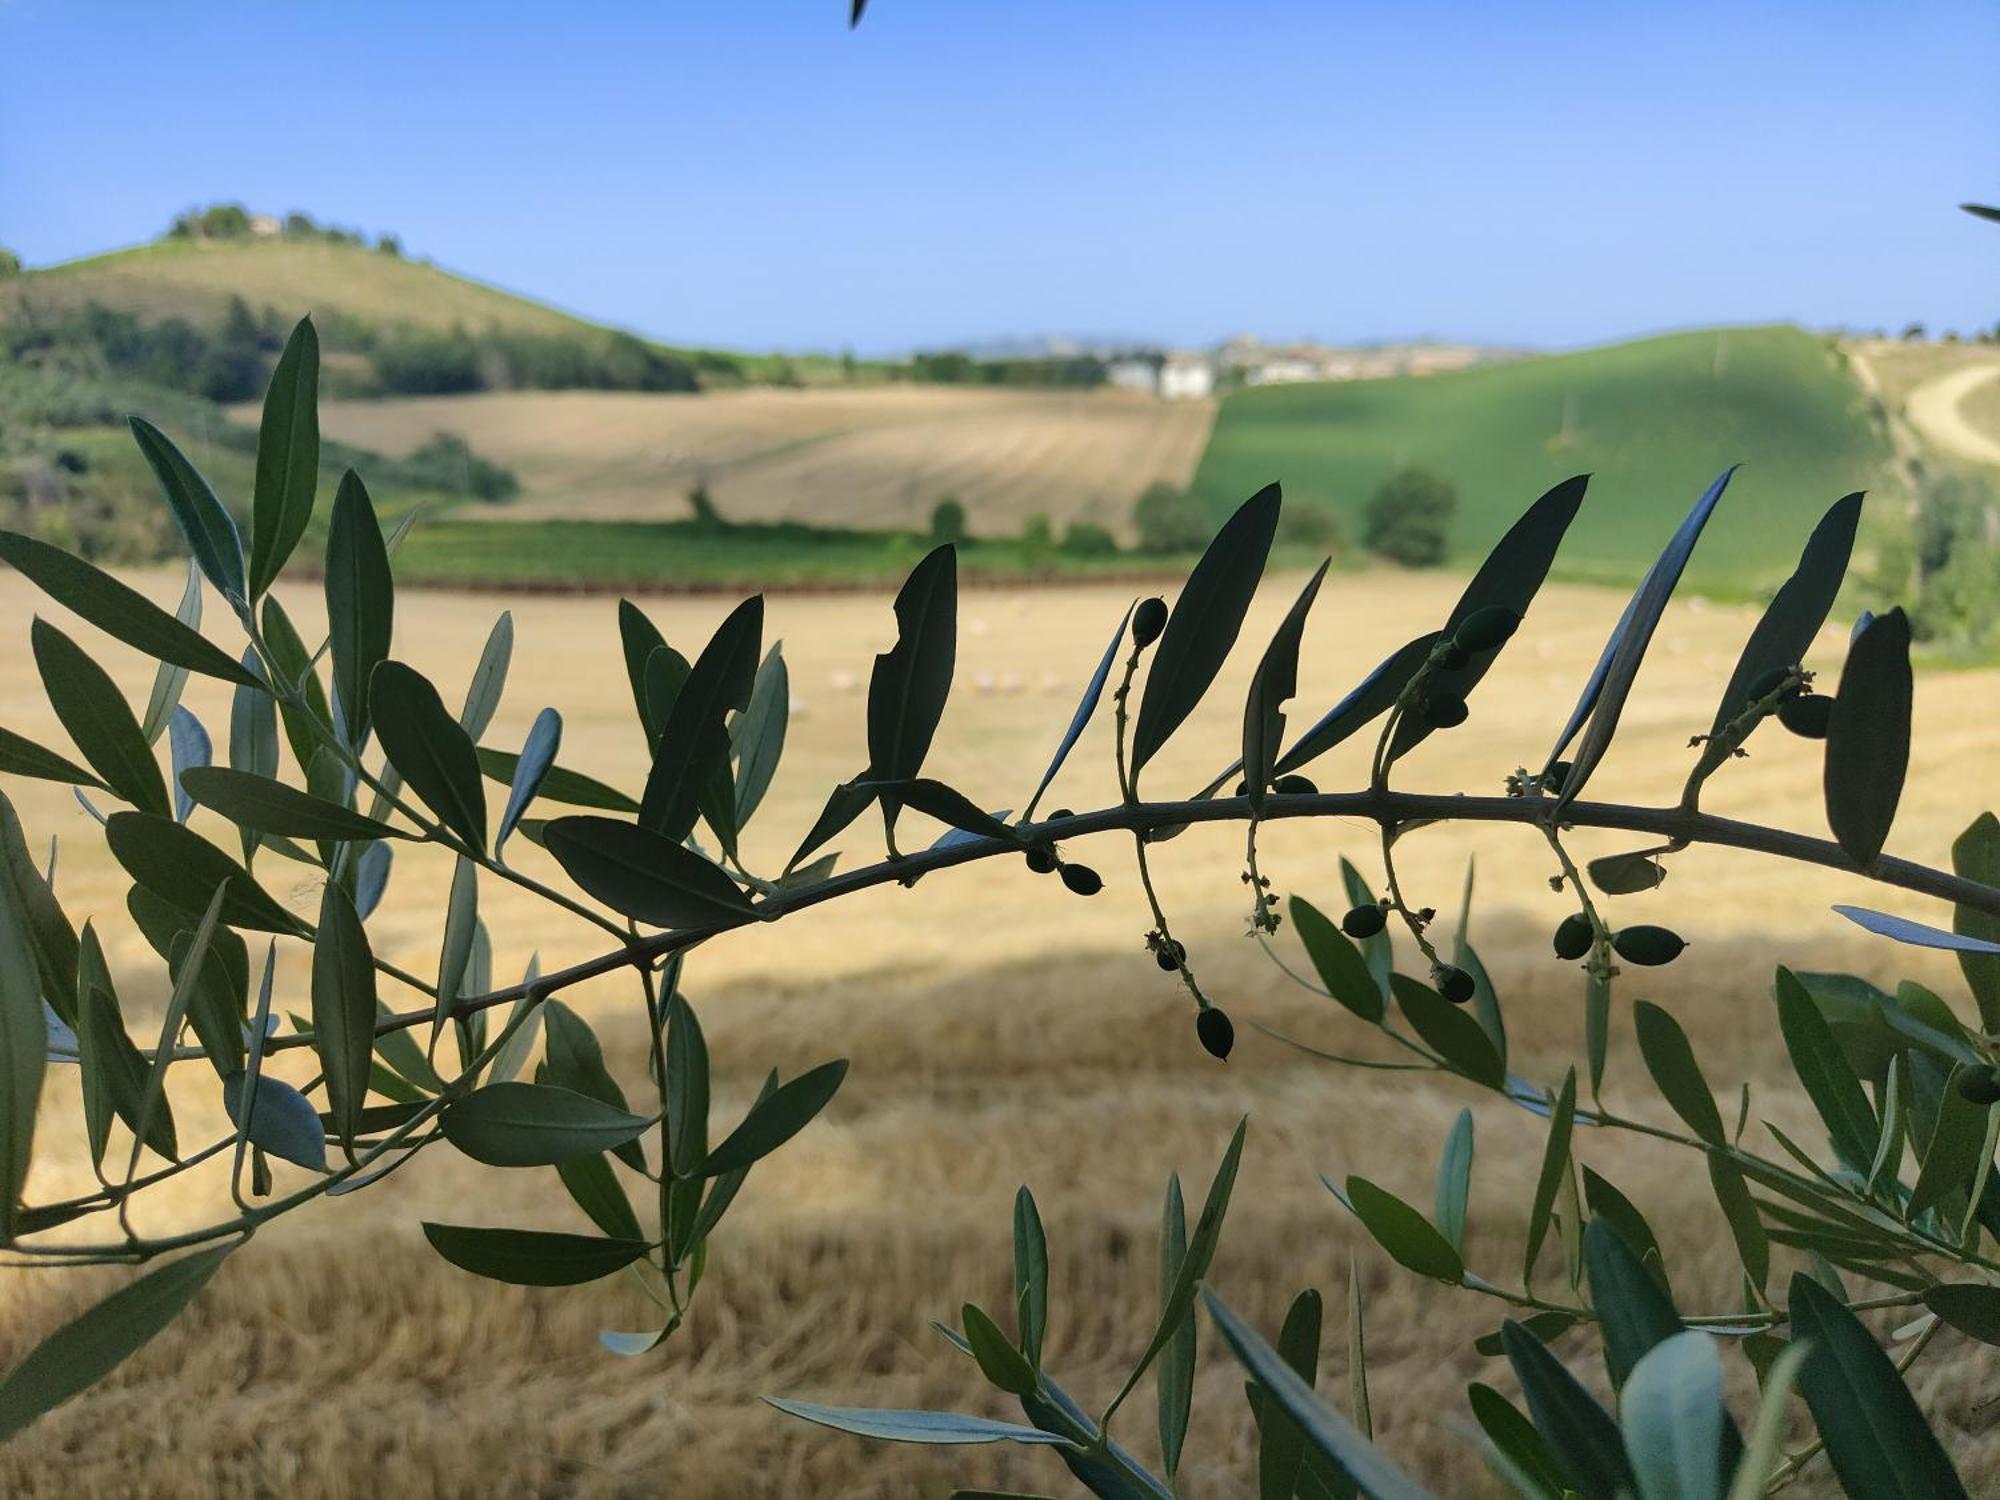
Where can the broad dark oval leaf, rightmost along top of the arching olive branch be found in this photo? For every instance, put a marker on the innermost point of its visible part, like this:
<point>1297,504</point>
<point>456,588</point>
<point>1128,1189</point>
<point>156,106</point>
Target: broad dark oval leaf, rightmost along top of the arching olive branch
<point>1869,739</point>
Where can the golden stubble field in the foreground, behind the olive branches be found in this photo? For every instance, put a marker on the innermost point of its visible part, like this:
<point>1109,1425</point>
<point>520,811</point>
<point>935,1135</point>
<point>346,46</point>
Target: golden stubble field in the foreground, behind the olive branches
<point>1001,1033</point>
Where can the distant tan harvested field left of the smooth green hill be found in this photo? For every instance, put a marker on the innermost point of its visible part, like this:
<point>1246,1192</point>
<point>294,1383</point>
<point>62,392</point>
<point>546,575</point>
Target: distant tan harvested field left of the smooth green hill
<point>863,457</point>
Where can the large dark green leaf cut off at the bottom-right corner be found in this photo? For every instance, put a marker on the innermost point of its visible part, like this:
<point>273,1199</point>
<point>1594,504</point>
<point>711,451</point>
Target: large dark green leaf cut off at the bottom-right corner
<point>1875,1435</point>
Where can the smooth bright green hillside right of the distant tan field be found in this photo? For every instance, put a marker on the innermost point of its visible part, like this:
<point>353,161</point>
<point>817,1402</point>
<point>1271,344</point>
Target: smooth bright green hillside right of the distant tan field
<point>1653,421</point>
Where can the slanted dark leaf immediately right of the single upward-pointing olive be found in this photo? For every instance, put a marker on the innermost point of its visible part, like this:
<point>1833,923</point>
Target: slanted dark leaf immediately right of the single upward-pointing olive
<point>1205,623</point>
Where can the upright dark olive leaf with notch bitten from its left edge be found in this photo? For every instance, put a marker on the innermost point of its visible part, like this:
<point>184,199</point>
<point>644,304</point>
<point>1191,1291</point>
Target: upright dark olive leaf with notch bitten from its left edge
<point>913,681</point>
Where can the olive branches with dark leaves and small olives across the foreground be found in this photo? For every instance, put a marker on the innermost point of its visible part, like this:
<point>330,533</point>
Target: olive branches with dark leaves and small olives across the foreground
<point>1895,1211</point>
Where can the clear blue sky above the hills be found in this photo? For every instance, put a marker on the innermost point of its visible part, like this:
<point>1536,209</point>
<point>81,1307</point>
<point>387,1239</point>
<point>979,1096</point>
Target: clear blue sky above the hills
<point>747,173</point>
